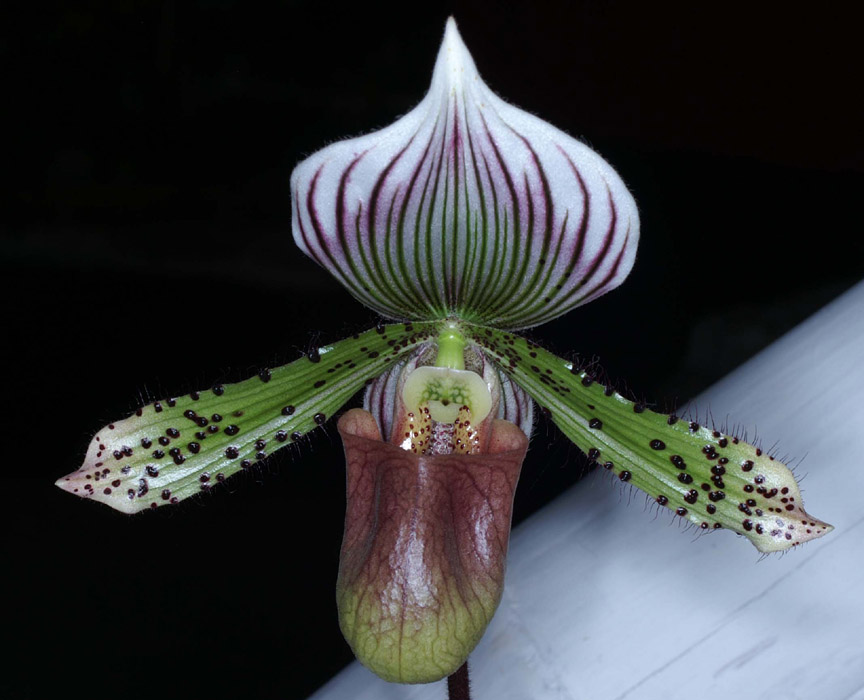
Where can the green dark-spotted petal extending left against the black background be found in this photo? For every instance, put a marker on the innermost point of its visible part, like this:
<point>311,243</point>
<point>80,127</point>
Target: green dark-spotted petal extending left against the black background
<point>174,448</point>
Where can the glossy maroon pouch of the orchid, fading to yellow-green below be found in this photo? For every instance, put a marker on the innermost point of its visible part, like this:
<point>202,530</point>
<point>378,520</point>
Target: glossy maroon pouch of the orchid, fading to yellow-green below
<point>422,563</point>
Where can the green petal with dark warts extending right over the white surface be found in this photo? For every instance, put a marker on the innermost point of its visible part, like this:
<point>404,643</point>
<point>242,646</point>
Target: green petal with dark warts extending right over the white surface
<point>713,480</point>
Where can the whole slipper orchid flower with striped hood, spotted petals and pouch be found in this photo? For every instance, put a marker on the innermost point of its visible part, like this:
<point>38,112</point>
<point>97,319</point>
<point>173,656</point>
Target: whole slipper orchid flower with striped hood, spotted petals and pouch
<point>461,222</point>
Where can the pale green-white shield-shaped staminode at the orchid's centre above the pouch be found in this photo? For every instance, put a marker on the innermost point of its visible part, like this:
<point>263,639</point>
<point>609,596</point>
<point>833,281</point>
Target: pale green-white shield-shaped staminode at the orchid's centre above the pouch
<point>446,391</point>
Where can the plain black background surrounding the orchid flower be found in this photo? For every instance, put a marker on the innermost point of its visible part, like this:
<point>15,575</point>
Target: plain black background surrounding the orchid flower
<point>146,247</point>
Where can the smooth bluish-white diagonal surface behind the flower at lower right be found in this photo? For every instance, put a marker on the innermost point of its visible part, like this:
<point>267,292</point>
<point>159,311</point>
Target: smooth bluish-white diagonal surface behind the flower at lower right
<point>605,601</point>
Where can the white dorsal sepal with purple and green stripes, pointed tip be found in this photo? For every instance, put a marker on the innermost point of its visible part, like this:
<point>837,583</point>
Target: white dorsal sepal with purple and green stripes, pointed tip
<point>467,207</point>
